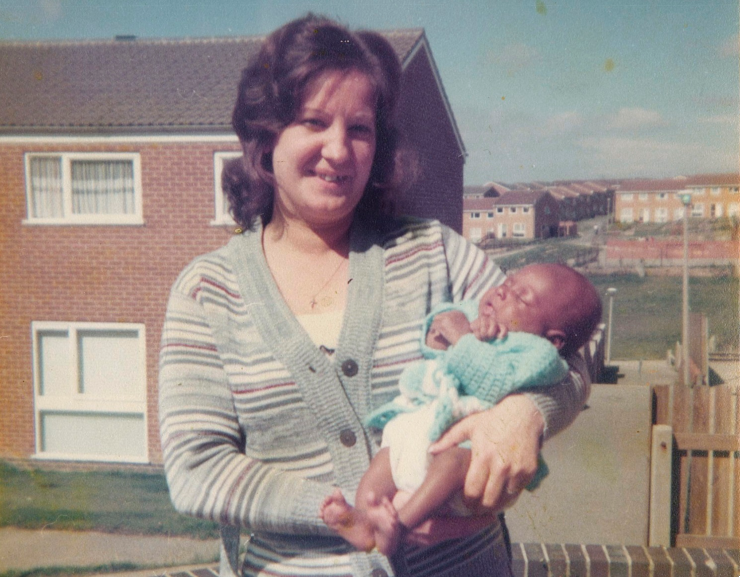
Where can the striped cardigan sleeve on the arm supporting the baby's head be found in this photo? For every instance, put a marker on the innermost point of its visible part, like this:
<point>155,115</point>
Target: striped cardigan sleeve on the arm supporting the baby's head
<point>471,274</point>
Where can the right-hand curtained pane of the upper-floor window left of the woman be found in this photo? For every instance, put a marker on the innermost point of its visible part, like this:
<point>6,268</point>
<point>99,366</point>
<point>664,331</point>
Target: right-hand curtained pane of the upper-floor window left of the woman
<point>102,187</point>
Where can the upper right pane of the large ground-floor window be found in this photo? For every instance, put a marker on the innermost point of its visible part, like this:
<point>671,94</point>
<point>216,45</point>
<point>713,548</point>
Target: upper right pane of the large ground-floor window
<point>109,364</point>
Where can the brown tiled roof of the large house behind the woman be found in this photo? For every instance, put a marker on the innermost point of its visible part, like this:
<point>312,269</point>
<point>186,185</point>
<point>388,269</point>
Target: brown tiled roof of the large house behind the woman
<point>133,85</point>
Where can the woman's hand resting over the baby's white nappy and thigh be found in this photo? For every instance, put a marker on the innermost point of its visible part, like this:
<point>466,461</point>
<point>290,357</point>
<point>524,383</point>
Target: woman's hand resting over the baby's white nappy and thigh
<point>505,441</point>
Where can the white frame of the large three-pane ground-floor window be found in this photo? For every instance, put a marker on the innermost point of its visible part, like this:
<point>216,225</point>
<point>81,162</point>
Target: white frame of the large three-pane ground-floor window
<point>86,404</point>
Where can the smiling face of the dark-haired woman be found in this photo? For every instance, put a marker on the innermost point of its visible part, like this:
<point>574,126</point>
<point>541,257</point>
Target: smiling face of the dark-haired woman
<point>322,160</point>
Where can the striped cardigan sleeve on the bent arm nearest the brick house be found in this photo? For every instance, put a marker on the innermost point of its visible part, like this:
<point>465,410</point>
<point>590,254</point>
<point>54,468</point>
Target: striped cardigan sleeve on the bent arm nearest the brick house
<point>207,471</point>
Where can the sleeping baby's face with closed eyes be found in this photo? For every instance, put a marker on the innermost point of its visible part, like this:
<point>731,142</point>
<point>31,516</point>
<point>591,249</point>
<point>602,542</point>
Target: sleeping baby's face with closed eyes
<point>523,302</point>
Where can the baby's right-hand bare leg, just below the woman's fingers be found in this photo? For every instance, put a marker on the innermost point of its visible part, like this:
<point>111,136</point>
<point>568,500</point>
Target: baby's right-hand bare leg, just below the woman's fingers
<point>446,476</point>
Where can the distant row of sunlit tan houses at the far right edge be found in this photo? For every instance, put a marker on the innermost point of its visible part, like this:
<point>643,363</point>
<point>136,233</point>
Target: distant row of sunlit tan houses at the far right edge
<point>712,196</point>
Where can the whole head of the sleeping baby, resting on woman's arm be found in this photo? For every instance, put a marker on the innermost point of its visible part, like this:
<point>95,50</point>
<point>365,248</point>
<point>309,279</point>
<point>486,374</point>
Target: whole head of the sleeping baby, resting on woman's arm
<point>550,300</point>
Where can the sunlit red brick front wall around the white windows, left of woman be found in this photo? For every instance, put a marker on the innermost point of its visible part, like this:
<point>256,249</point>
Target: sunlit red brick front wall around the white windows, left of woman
<point>97,273</point>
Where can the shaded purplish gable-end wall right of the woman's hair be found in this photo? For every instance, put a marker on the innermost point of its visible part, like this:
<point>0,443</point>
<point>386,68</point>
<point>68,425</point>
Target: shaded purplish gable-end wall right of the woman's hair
<point>425,122</point>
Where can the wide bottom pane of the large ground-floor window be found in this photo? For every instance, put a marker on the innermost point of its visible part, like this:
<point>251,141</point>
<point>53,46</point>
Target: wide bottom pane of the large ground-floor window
<point>107,435</point>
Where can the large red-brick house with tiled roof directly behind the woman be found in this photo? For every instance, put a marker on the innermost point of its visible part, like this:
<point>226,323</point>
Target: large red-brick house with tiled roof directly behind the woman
<point>110,162</point>
